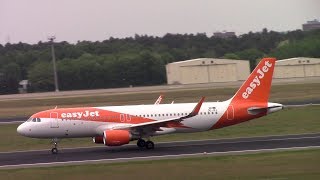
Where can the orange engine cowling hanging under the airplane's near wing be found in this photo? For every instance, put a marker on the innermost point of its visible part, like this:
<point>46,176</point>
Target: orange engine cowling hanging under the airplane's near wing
<point>116,137</point>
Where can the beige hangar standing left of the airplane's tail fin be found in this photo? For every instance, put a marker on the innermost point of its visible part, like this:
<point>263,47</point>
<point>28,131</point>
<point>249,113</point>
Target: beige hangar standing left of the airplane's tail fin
<point>207,70</point>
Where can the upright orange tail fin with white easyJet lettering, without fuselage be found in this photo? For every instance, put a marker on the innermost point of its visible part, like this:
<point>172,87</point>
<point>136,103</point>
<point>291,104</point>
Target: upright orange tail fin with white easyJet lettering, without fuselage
<point>257,87</point>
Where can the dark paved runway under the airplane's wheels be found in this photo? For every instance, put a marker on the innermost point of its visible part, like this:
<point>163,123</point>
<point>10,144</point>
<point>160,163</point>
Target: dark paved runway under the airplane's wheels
<point>166,150</point>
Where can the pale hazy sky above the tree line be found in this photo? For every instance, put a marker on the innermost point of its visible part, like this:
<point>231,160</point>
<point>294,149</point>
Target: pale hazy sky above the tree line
<point>31,21</point>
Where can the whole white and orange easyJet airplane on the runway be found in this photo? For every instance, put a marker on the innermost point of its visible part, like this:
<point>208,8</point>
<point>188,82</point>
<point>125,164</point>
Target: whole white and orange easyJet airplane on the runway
<point>118,125</point>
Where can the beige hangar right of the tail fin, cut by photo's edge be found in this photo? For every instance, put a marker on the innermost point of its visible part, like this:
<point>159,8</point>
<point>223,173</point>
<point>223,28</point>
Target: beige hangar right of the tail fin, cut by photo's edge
<point>299,67</point>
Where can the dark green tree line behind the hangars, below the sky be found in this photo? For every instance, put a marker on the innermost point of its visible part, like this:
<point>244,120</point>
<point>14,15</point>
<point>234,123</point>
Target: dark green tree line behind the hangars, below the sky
<point>138,60</point>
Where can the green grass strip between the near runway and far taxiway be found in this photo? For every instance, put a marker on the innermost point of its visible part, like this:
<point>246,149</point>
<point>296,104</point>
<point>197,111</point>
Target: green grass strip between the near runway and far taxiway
<point>289,121</point>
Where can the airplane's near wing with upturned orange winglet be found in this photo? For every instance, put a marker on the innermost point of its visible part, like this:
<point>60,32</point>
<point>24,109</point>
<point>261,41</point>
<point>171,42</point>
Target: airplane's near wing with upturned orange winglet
<point>160,123</point>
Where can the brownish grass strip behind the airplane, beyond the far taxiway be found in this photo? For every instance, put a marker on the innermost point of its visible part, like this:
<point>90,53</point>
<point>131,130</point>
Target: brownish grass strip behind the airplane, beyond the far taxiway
<point>26,107</point>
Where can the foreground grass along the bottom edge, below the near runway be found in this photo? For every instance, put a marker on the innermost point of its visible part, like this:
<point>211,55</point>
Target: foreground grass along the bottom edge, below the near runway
<point>303,164</point>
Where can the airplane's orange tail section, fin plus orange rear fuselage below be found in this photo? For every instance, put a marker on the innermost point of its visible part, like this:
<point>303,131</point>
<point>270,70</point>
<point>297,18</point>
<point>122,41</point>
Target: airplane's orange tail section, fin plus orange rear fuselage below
<point>251,100</point>
